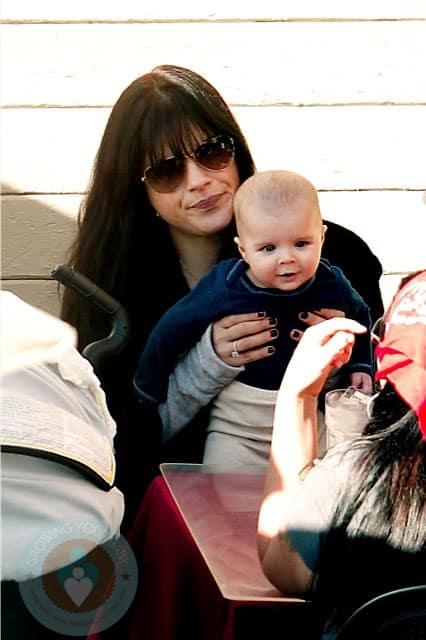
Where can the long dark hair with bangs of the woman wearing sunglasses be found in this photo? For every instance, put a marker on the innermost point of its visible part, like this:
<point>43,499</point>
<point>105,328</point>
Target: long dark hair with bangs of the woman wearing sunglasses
<point>119,236</point>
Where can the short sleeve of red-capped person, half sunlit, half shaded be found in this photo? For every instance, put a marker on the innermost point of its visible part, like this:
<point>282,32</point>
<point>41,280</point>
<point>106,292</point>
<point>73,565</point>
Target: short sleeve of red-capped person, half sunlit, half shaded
<point>308,518</point>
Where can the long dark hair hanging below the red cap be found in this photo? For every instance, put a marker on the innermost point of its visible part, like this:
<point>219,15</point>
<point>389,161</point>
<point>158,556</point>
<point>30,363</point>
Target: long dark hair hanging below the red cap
<point>377,540</point>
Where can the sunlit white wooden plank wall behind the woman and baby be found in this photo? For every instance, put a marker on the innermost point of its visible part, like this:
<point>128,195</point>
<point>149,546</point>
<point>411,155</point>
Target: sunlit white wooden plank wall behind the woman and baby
<point>334,90</point>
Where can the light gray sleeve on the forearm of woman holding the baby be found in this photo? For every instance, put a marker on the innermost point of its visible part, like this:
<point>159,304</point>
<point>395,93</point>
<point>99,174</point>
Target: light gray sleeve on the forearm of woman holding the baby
<point>198,377</point>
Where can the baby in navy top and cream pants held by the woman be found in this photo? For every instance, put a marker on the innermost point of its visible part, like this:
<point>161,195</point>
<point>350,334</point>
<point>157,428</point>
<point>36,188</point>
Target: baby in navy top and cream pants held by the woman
<point>280,237</point>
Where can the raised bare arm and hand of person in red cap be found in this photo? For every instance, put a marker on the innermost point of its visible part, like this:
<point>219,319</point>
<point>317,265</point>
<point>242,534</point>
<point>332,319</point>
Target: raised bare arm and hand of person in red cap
<point>294,446</point>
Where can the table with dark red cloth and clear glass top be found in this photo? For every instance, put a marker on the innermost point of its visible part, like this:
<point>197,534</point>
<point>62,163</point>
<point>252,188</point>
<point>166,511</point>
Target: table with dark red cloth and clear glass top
<point>200,577</point>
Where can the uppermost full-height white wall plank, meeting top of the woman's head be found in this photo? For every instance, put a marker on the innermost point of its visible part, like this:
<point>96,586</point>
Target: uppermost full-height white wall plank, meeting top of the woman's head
<point>379,62</point>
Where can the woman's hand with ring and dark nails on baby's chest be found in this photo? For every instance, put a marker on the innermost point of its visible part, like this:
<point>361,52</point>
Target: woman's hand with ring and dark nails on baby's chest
<point>247,334</point>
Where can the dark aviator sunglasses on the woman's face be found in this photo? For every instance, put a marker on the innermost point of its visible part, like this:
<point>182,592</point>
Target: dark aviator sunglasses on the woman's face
<point>167,175</point>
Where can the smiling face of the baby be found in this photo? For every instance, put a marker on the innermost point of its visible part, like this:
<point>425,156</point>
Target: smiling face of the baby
<point>282,248</point>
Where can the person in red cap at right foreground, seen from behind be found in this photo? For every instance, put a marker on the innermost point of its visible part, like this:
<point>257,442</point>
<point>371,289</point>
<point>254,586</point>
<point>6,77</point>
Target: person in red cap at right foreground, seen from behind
<point>352,525</point>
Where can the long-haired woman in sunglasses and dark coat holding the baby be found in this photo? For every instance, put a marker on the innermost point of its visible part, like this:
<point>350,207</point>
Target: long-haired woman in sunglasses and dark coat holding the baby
<point>157,216</point>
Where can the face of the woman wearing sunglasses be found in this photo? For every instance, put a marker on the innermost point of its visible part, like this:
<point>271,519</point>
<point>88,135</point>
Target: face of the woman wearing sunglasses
<point>201,205</point>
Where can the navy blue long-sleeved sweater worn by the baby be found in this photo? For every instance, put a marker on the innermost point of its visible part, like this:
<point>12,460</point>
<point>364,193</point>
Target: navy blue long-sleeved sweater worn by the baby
<point>227,290</point>
